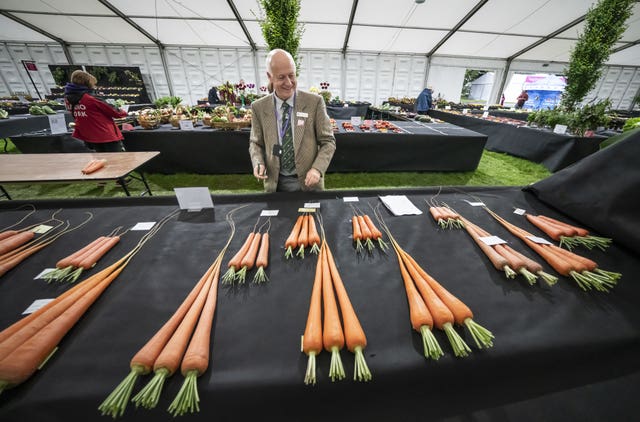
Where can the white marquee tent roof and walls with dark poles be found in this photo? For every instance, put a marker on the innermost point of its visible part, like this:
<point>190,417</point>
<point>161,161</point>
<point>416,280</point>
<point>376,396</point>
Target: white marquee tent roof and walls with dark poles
<point>366,49</point>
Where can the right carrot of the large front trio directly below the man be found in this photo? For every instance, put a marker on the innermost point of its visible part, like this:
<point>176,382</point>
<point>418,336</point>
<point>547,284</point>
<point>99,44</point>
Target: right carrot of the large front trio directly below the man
<point>353,332</point>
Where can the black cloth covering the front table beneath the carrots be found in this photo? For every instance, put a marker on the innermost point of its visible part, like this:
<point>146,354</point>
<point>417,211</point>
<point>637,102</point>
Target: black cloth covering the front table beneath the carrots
<point>559,354</point>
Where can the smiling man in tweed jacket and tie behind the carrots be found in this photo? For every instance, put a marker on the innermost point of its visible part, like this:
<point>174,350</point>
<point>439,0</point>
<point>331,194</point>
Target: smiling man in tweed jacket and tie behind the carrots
<point>291,142</point>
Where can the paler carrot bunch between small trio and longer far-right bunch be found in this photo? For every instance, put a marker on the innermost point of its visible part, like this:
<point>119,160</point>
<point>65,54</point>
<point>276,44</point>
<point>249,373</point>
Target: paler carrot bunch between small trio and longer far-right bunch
<point>505,258</point>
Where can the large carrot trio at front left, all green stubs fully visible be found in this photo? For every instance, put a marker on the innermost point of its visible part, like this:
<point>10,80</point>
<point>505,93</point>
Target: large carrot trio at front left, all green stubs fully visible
<point>182,343</point>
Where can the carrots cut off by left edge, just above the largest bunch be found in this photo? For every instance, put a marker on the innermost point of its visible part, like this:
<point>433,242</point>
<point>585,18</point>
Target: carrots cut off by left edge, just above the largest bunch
<point>17,245</point>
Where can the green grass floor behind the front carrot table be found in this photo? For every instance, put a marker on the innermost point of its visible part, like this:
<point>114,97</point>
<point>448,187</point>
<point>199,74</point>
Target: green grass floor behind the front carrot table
<point>494,169</point>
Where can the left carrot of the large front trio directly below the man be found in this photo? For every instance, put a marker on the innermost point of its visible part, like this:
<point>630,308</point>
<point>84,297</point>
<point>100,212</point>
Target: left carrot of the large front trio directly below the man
<point>312,338</point>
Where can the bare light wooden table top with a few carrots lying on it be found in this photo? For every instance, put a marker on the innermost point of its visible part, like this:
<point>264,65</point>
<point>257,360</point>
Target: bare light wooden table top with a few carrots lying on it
<point>17,168</point>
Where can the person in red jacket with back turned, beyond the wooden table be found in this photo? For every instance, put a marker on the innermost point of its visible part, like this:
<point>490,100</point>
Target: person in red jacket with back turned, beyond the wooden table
<point>93,118</point>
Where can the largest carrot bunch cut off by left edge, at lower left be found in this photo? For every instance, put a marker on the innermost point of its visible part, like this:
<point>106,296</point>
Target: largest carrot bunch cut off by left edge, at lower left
<point>27,344</point>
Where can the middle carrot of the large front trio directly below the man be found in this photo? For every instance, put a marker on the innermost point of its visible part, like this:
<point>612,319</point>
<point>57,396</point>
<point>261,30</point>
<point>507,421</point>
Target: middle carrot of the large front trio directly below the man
<point>332,334</point>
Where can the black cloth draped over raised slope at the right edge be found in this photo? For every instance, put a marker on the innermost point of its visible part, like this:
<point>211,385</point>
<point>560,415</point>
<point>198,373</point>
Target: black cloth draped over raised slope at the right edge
<point>610,179</point>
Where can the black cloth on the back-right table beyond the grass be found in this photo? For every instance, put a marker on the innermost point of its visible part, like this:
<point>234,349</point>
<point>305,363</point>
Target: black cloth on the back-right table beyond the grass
<point>552,150</point>
